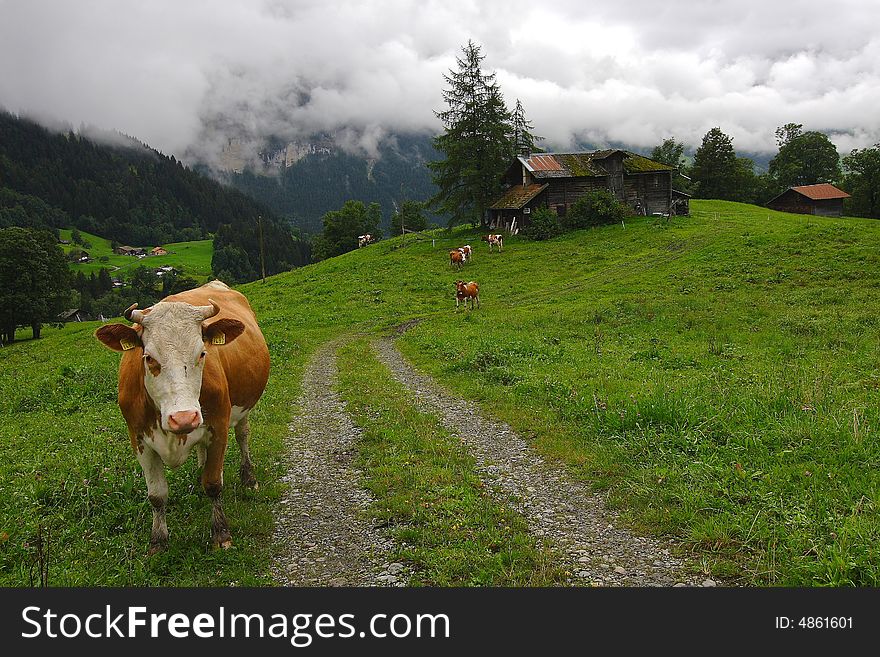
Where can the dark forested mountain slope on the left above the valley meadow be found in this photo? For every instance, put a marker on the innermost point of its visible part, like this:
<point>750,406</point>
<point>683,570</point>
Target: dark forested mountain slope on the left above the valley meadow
<point>115,187</point>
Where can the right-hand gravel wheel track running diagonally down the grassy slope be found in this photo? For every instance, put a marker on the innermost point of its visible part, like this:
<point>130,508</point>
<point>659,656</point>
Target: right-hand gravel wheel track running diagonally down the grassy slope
<point>572,520</point>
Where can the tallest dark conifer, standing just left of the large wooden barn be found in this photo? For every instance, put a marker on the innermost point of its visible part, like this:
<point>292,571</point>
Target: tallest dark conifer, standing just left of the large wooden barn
<point>475,142</point>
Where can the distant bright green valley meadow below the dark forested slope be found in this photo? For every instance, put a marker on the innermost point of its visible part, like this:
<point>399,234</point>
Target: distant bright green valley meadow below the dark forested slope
<point>192,258</point>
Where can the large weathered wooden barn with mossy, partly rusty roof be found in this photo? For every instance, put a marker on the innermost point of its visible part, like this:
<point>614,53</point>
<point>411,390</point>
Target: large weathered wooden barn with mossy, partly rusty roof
<point>557,180</point>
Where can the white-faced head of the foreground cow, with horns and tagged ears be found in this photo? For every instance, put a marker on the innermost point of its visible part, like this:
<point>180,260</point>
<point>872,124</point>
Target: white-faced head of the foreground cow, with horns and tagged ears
<point>174,343</point>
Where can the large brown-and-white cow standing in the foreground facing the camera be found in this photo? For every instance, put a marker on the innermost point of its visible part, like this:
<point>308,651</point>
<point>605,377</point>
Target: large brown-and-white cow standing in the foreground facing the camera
<point>183,381</point>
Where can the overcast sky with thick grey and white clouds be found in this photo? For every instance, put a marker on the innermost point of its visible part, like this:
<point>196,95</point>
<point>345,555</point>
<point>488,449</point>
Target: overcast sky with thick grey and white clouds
<point>184,75</point>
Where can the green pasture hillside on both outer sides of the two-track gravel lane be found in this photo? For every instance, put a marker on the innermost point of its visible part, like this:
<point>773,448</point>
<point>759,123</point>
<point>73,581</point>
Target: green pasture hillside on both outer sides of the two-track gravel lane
<point>716,374</point>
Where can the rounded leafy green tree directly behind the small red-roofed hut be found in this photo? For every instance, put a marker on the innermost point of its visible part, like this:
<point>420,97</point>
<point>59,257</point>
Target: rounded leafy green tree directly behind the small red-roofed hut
<point>804,158</point>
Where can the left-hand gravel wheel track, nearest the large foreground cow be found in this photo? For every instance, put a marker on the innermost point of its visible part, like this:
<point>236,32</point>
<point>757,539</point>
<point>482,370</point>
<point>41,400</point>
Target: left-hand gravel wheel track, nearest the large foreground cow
<point>323,534</point>
